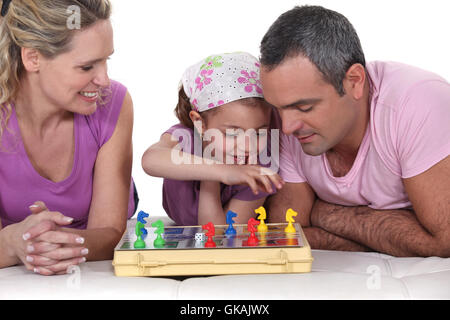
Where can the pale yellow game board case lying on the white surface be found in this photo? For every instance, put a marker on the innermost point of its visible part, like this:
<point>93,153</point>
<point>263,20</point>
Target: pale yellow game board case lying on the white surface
<point>181,255</point>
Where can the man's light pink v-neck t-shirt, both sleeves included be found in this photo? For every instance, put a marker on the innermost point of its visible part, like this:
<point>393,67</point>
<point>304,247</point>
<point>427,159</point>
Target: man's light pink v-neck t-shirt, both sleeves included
<point>408,133</point>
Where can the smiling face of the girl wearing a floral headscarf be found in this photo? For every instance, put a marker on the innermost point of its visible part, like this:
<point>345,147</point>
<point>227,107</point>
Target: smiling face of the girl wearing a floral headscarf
<point>237,131</point>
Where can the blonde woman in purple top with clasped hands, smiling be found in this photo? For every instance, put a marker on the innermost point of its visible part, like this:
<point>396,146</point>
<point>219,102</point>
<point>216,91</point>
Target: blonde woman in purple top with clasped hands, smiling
<point>66,149</point>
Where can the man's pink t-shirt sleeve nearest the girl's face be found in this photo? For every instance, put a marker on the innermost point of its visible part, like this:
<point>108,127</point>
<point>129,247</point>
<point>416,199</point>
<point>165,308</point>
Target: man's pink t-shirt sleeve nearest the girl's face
<point>290,167</point>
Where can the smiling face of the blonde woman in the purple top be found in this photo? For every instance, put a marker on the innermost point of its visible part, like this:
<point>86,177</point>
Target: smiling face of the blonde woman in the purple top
<point>72,80</point>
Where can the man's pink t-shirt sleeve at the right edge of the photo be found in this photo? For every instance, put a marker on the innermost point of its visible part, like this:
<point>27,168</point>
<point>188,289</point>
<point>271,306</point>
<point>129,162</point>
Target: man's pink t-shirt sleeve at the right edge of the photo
<point>423,136</point>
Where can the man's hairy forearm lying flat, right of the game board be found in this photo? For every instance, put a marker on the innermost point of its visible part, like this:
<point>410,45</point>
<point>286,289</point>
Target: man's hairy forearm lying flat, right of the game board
<point>395,232</point>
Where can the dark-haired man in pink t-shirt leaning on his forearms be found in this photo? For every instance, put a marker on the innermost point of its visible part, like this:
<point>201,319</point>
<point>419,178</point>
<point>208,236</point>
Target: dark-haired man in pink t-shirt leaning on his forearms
<point>365,149</point>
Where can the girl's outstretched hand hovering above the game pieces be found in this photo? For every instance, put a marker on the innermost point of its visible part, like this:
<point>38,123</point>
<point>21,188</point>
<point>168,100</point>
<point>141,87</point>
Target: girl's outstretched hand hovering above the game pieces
<point>256,177</point>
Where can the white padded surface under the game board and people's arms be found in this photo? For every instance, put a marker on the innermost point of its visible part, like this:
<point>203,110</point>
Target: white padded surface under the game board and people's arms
<point>335,275</point>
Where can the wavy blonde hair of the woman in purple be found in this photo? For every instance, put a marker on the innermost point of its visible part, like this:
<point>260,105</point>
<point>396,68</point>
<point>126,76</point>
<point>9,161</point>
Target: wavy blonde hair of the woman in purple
<point>42,25</point>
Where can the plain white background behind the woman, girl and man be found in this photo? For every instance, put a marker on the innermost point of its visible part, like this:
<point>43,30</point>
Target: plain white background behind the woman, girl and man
<point>155,41</point>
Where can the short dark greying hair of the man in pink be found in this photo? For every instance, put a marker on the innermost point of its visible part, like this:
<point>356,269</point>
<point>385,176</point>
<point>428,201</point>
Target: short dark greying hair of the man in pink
<point>323,36</point>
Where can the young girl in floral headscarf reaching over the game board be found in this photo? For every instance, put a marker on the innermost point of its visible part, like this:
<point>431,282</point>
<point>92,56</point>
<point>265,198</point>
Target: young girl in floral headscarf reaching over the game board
<point>220,106</point>
